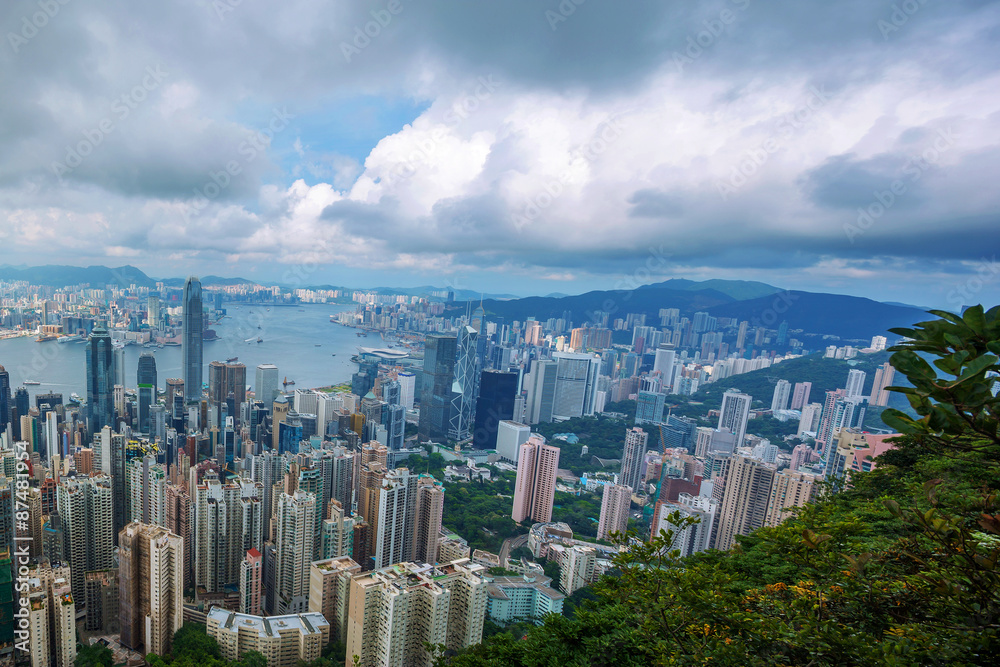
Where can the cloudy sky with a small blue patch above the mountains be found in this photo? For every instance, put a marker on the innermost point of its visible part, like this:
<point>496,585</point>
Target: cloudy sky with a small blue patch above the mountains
<point>515,146</point>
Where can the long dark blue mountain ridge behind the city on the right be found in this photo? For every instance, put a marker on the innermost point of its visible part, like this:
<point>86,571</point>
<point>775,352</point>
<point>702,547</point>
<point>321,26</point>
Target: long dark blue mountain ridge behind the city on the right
<point>846,317</point>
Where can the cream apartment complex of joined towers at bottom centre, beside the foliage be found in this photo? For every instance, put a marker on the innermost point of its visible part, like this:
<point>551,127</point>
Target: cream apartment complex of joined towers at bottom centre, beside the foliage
<point>383,629</point>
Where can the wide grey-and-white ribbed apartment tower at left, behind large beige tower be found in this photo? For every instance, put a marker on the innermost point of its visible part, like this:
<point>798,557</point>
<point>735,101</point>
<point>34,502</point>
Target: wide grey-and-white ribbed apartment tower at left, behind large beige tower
<point>85,509</point>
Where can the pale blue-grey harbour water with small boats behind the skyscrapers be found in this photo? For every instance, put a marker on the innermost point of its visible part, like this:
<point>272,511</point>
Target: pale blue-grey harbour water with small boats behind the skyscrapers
<point>301,341</point>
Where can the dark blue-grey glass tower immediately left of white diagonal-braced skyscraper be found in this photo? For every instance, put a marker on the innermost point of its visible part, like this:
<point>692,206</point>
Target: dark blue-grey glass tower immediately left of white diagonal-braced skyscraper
<point>436,382</point>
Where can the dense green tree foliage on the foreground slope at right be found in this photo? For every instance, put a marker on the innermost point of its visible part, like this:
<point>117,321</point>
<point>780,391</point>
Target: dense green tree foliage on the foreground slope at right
<point>900,568</point>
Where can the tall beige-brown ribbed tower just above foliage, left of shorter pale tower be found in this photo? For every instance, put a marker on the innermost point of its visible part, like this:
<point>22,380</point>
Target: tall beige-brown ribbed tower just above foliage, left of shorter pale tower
<point>745,500</point>
